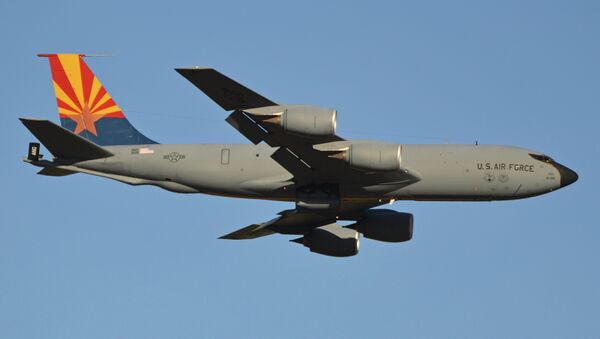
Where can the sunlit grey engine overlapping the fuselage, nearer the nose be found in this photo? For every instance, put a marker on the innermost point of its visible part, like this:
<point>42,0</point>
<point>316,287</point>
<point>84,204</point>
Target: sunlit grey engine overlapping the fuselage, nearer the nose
<point>372,156</point>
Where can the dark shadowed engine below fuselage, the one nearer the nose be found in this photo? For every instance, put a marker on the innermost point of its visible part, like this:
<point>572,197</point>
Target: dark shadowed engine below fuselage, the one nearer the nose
<point>385,225</point>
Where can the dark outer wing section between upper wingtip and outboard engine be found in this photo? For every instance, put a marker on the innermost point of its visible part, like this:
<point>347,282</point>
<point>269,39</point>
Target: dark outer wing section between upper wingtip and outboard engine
<point>226,92</point>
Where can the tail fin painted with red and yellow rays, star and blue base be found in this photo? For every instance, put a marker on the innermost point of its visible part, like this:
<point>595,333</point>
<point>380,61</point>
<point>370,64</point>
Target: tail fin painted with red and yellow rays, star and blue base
<point>85,107</point>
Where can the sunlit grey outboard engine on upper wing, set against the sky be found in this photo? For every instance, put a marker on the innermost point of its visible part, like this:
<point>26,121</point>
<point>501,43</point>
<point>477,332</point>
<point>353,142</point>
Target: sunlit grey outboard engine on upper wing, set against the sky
<point>304,120</point>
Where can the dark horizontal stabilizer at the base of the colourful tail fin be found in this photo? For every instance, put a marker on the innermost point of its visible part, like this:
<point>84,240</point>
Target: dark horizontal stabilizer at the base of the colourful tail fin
<point>62,143</point>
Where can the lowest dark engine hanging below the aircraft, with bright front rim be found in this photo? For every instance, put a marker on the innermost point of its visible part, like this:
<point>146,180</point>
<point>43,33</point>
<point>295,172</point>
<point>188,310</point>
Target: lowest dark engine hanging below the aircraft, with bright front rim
<point>332,240</point>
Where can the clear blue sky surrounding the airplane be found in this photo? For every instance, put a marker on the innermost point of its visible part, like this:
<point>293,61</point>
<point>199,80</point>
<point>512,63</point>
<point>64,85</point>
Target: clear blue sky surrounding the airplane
<point>83,257</point>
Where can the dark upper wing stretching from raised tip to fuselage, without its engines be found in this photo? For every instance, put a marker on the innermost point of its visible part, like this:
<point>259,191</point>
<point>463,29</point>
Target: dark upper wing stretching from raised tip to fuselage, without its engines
<point>298,154</point>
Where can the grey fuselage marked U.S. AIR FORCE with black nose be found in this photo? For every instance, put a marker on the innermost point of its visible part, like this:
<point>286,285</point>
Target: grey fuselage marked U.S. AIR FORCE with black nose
<point>446,172</point>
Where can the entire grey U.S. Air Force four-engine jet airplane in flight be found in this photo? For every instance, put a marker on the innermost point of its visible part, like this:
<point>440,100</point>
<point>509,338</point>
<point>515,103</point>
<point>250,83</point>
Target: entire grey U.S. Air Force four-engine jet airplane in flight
<point>294,155</point>
